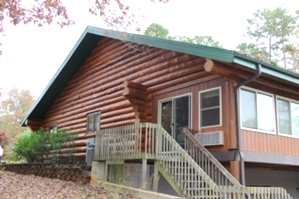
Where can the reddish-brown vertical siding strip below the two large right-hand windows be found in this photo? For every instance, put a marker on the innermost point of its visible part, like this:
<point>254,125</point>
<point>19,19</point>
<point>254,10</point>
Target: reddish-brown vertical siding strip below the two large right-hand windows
<point>269,143</point>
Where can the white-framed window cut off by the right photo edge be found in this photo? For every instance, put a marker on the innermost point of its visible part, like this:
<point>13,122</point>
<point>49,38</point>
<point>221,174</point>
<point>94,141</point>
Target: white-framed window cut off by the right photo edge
<point>288,117</point>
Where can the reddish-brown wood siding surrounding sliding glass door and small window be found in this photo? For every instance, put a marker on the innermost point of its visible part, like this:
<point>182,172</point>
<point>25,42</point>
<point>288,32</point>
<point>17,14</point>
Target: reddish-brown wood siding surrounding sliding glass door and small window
<point>194,87</point>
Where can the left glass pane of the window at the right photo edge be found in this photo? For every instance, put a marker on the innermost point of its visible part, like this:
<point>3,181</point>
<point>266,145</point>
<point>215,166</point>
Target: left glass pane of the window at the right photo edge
<point>284,116</point>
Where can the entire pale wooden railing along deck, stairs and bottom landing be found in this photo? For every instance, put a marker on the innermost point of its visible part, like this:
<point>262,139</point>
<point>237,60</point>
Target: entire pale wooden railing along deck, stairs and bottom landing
<point>197,177</point>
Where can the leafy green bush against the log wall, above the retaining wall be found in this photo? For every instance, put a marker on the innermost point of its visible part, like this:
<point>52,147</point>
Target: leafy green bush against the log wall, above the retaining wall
<point>35,146</point>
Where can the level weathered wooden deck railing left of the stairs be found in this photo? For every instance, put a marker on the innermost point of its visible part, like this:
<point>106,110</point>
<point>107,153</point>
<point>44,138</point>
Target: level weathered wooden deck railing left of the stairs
<point>126,142</point>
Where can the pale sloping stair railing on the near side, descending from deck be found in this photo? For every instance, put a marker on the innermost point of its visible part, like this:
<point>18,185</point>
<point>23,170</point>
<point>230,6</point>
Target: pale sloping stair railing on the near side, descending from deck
<point>188,175</point>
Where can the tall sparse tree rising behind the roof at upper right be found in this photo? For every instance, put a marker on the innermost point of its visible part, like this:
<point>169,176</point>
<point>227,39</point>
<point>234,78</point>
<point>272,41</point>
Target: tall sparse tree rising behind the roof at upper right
<point>270,33</point>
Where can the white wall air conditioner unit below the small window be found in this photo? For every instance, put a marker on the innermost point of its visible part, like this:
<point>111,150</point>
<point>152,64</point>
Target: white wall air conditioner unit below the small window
<point>210,138</point>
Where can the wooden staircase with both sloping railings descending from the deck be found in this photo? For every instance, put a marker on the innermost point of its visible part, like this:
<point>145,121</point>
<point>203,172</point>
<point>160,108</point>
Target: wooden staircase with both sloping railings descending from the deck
<point>183,173</point>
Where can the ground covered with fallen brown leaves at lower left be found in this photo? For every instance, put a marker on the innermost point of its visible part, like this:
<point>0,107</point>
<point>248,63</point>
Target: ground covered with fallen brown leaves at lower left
<point>17,186</point>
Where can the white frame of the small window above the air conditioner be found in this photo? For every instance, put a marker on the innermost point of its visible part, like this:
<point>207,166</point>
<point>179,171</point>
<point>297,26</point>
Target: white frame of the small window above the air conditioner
<point>220,107</point>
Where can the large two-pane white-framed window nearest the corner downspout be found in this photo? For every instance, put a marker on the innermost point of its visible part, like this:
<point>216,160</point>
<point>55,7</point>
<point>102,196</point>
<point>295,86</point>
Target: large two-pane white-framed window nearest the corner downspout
<point>257,110</point>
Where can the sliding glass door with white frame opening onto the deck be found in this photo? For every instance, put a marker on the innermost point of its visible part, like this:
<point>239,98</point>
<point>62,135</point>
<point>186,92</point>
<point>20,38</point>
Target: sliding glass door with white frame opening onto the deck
<point>175,115</point>
